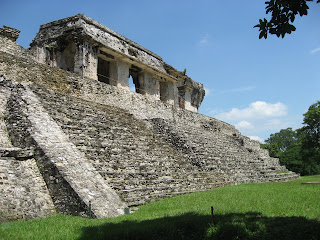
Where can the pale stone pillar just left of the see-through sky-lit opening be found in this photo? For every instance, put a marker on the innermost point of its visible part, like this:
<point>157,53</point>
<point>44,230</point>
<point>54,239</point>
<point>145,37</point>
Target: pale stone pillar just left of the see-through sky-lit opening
<point>119,74</point>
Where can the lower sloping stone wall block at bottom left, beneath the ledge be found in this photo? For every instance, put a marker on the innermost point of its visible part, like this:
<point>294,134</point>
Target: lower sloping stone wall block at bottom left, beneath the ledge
<point>24,194</point>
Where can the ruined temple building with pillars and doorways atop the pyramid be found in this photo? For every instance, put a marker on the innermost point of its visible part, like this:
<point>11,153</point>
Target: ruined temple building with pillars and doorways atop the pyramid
<point>80,44</point>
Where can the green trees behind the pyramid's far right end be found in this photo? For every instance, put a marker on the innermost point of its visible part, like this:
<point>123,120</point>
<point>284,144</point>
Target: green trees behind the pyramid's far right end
<point>299,150</point>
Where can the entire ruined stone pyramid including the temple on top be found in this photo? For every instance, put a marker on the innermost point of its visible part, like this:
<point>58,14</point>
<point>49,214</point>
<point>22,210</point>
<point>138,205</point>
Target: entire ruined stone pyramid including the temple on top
<point>79,146</point>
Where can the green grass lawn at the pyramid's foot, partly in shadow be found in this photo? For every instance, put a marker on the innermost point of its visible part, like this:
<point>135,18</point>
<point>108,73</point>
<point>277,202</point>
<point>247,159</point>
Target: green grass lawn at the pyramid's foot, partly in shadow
<point>250,211</point>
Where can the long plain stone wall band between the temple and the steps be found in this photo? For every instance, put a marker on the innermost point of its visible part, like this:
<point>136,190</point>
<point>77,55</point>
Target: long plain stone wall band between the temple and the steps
<point>65,82</point>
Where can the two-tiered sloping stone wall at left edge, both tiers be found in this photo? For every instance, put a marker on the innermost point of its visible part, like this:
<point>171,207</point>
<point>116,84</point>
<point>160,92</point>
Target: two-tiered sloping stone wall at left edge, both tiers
<point>23,192</point>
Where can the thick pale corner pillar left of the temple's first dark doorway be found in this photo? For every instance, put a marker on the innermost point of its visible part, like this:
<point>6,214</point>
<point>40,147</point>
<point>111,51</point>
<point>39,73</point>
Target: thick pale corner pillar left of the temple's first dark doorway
<point>86,60</point>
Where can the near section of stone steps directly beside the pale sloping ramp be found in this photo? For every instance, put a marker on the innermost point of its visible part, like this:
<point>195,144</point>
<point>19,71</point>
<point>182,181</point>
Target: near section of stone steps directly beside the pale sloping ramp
<point>139,165</point>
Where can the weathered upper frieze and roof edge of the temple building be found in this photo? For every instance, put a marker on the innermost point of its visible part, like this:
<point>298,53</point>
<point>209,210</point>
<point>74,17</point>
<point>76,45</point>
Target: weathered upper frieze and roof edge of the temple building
<point>86,26</point>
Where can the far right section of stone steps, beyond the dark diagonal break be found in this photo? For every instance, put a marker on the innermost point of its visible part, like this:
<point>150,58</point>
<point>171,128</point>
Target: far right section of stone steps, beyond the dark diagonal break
<point>212,149</point>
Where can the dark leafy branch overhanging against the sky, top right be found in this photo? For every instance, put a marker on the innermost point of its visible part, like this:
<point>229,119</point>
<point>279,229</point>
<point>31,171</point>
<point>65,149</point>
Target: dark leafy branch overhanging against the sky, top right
<point>283,13</point>
